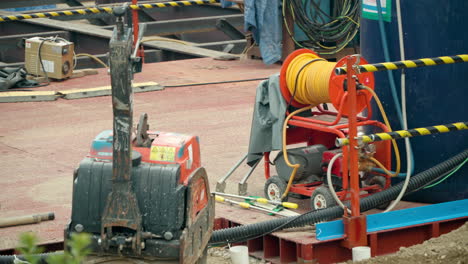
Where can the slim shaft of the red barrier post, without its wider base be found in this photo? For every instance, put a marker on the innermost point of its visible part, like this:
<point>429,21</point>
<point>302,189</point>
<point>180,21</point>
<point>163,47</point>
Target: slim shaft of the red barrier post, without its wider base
<point>353,151</point>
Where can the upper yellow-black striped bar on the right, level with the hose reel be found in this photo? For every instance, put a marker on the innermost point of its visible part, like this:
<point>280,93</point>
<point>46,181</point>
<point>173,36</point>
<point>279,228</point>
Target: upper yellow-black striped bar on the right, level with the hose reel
<point>385,66</point>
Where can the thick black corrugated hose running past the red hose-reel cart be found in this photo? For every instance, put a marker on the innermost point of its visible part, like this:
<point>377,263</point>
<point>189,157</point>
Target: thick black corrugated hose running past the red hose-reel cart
<point>247,232</point>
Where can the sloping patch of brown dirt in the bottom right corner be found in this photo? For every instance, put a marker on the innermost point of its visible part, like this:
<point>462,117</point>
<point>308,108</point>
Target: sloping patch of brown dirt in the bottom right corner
<point>448,248</point>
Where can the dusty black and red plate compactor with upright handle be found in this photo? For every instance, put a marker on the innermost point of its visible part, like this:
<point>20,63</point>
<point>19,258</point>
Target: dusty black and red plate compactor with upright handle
<point>141,194</point>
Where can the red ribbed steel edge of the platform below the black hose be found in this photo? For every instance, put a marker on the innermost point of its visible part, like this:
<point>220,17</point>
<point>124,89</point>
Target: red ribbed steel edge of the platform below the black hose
<point>302,246</point>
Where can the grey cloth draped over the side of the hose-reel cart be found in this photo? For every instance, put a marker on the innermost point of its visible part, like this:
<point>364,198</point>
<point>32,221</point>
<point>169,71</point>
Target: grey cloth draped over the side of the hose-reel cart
<point>267,121</point>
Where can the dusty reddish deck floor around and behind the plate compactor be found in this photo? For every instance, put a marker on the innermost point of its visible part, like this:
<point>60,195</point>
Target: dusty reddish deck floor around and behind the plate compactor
<point>41,143</point>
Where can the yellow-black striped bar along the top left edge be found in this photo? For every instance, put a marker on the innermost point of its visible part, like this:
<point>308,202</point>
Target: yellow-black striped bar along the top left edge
<point>97,9</point>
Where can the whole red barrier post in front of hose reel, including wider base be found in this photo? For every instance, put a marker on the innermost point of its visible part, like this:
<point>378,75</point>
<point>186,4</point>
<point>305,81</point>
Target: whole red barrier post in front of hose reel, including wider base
<point>355,225</point>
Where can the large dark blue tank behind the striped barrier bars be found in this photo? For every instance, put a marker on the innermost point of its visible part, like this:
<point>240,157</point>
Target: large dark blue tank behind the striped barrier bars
<point>435,95</point>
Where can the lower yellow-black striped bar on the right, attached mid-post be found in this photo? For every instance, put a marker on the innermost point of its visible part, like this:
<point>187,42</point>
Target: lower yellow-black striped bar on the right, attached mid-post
<point>406,133</point>
